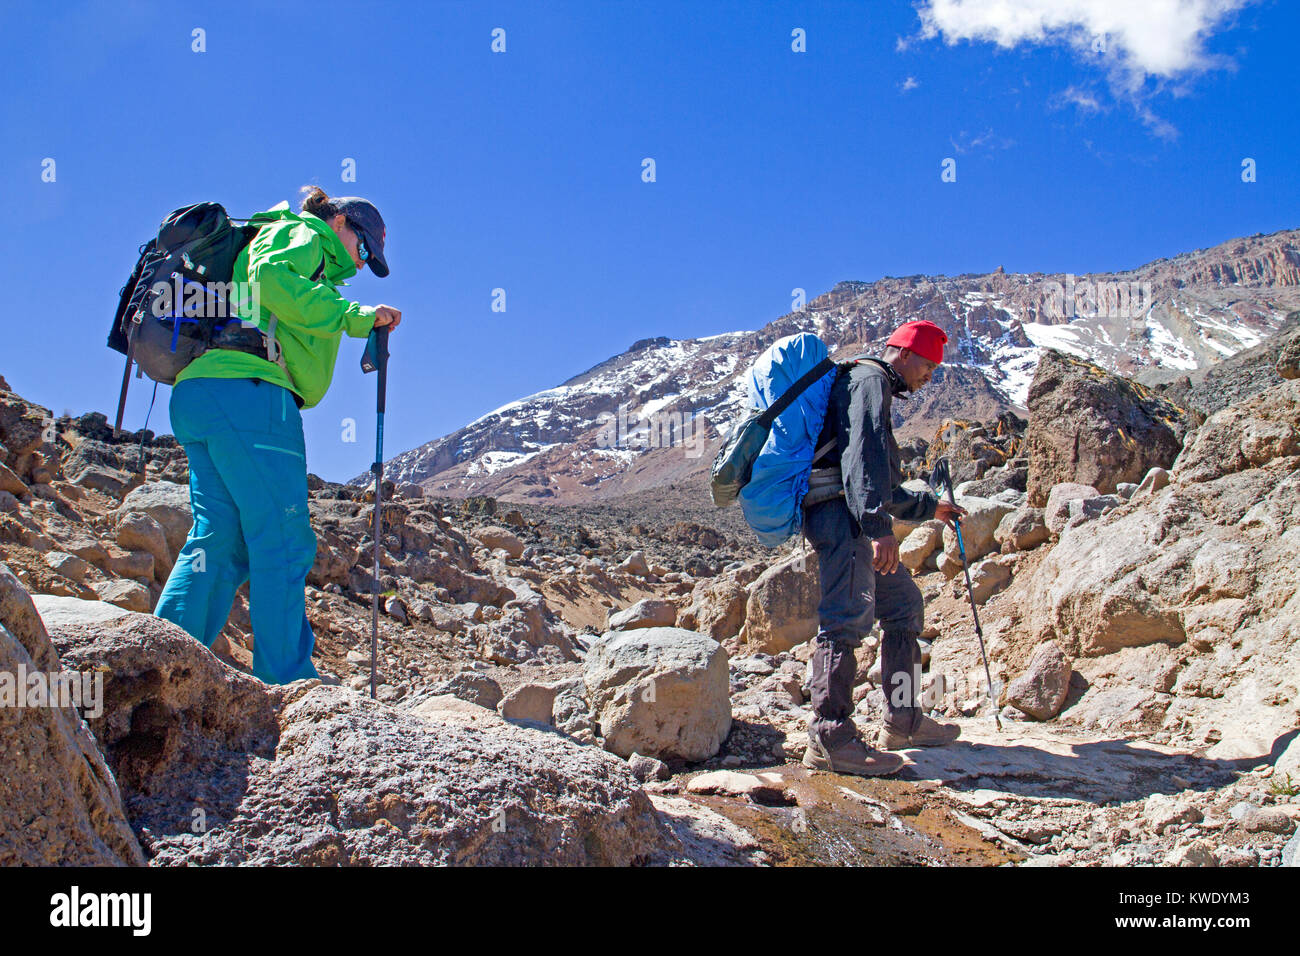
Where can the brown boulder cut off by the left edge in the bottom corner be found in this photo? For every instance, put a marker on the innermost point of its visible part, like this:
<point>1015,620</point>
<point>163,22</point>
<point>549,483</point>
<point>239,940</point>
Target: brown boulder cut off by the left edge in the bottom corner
<point>62,803</point>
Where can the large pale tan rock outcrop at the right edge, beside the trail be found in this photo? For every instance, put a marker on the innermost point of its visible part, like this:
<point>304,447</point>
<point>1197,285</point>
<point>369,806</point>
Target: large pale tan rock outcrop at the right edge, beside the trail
<point>1211,566</point>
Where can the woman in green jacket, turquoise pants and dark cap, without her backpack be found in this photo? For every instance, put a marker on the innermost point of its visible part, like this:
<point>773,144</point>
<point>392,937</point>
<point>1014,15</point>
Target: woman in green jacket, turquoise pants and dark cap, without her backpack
<point>237,416</point>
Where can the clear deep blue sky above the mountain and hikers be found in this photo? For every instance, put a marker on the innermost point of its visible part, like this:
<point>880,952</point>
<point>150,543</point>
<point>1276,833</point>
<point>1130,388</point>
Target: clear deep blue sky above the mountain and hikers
<point>523,171</point>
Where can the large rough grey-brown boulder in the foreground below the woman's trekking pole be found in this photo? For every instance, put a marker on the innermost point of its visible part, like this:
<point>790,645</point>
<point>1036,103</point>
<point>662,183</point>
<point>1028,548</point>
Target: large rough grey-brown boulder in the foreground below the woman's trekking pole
<point>354,782</point>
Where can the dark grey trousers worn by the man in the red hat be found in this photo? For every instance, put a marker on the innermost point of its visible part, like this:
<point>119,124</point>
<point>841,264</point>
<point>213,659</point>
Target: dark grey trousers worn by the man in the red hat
<point>853,599</point>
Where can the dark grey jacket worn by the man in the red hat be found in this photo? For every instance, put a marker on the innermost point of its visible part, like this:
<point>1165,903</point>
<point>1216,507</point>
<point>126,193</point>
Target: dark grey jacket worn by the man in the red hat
<point>859,423</point>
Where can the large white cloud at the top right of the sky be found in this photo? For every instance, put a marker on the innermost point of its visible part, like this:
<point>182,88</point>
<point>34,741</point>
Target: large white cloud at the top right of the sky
<point>1132,41</point>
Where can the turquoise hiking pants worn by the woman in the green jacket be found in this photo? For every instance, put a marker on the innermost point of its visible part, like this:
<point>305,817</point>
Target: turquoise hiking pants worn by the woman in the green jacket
<point>249,496</point>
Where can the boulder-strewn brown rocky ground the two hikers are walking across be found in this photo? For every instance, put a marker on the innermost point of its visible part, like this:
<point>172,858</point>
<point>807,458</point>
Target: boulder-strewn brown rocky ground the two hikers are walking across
<point>623,685</point>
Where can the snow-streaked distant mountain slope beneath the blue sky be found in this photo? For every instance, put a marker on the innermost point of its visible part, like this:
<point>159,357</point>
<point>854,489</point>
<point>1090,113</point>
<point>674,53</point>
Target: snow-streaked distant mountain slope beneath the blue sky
<point>655,416</point>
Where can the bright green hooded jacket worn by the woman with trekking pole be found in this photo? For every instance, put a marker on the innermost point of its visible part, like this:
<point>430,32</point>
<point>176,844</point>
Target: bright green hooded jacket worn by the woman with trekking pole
<point>313,317</point>
